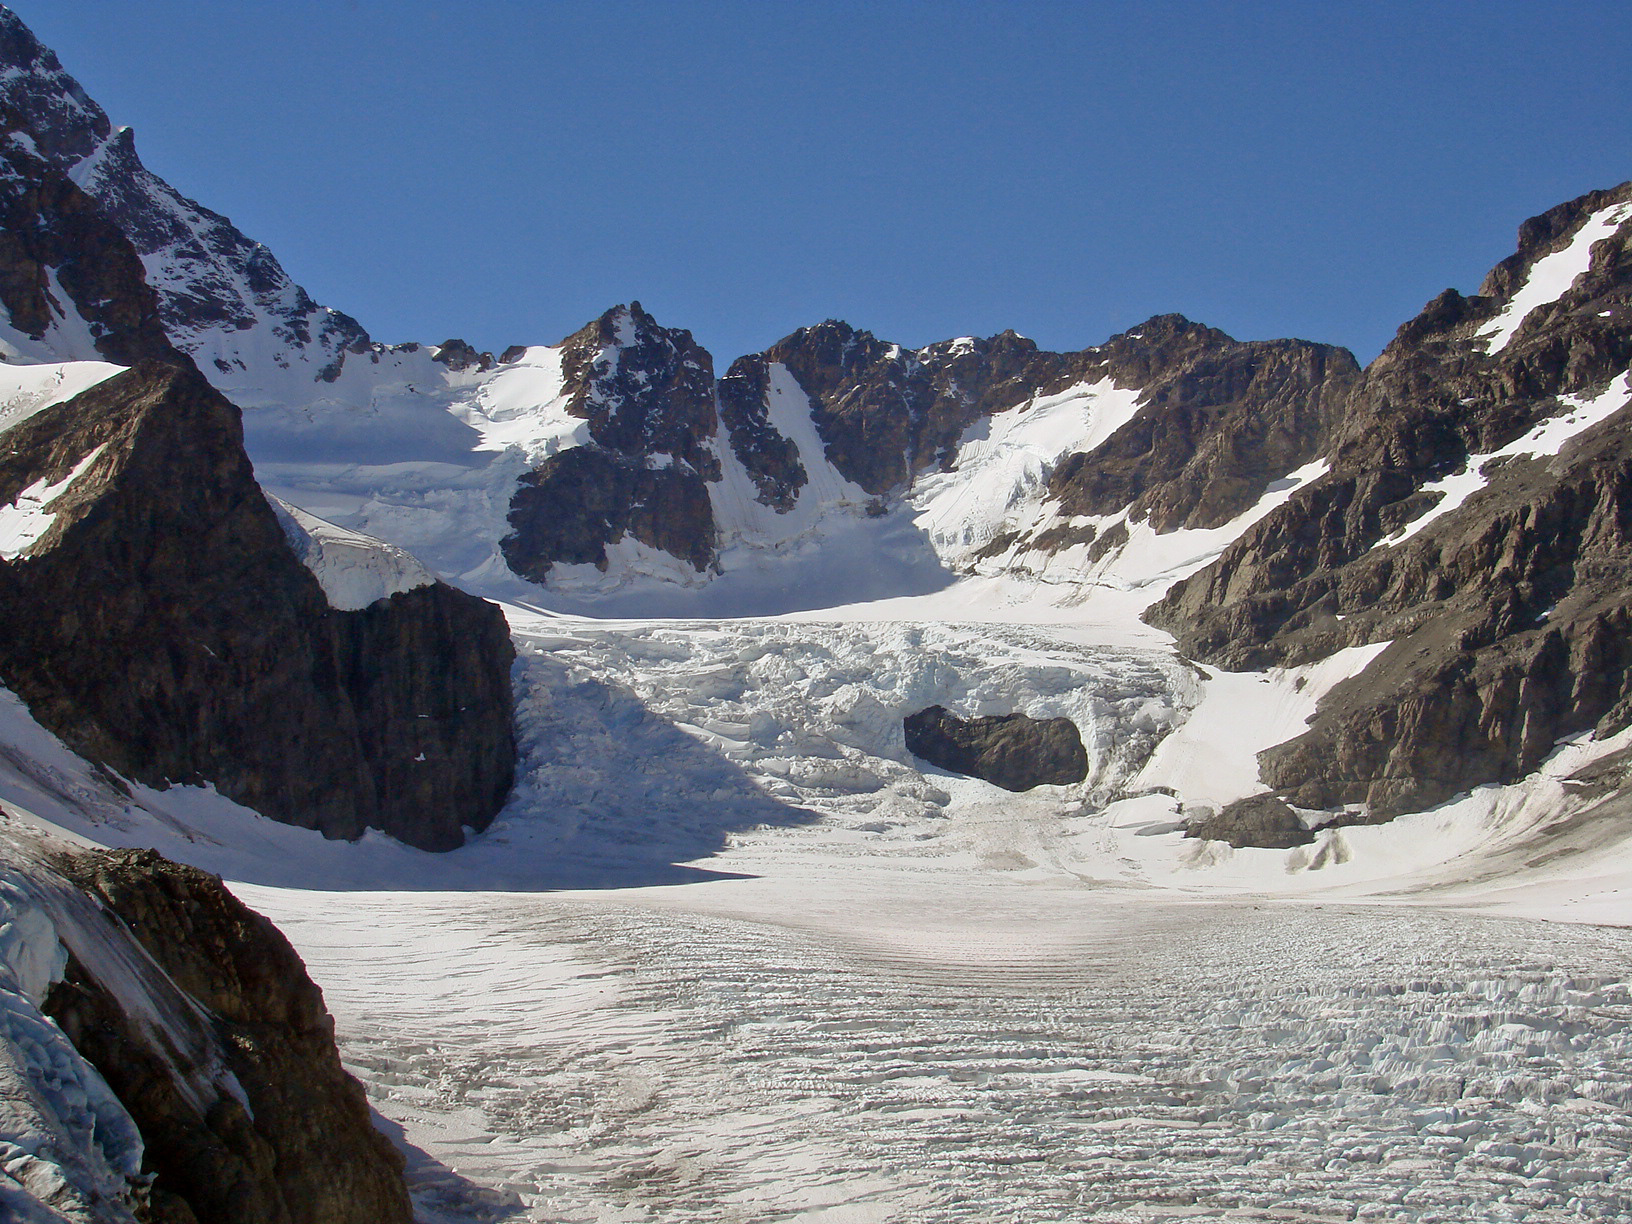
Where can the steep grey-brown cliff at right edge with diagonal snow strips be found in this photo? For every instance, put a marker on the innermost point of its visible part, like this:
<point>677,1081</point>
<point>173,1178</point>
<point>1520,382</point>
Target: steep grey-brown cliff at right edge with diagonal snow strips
<point>1476,517</point>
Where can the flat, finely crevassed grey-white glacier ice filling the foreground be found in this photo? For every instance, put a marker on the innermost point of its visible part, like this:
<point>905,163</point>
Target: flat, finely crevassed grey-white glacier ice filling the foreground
<point>867,1049</point>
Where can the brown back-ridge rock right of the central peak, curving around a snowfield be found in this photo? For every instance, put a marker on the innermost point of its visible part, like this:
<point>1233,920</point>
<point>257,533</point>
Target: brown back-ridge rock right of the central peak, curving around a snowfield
<point>1220,419</point>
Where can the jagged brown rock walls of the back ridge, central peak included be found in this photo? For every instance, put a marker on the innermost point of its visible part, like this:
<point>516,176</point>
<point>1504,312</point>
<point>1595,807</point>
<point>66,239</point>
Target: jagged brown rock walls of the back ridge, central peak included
<point>1220,422</point>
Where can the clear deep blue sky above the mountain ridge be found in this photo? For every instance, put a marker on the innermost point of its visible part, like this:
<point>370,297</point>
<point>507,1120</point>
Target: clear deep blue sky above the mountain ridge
<point>505,171</point>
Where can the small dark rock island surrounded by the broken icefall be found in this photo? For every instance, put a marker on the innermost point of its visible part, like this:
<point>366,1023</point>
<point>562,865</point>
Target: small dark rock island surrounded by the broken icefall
<point>1011,752</point>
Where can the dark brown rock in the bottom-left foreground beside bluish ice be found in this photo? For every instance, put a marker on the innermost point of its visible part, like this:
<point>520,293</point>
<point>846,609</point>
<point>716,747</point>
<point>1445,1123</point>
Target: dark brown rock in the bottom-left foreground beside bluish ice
<point>301,1148</point>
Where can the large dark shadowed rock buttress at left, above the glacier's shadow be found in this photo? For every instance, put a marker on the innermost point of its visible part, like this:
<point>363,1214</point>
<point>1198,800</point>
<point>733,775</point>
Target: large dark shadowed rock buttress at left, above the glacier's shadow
<point>164,628</point>
